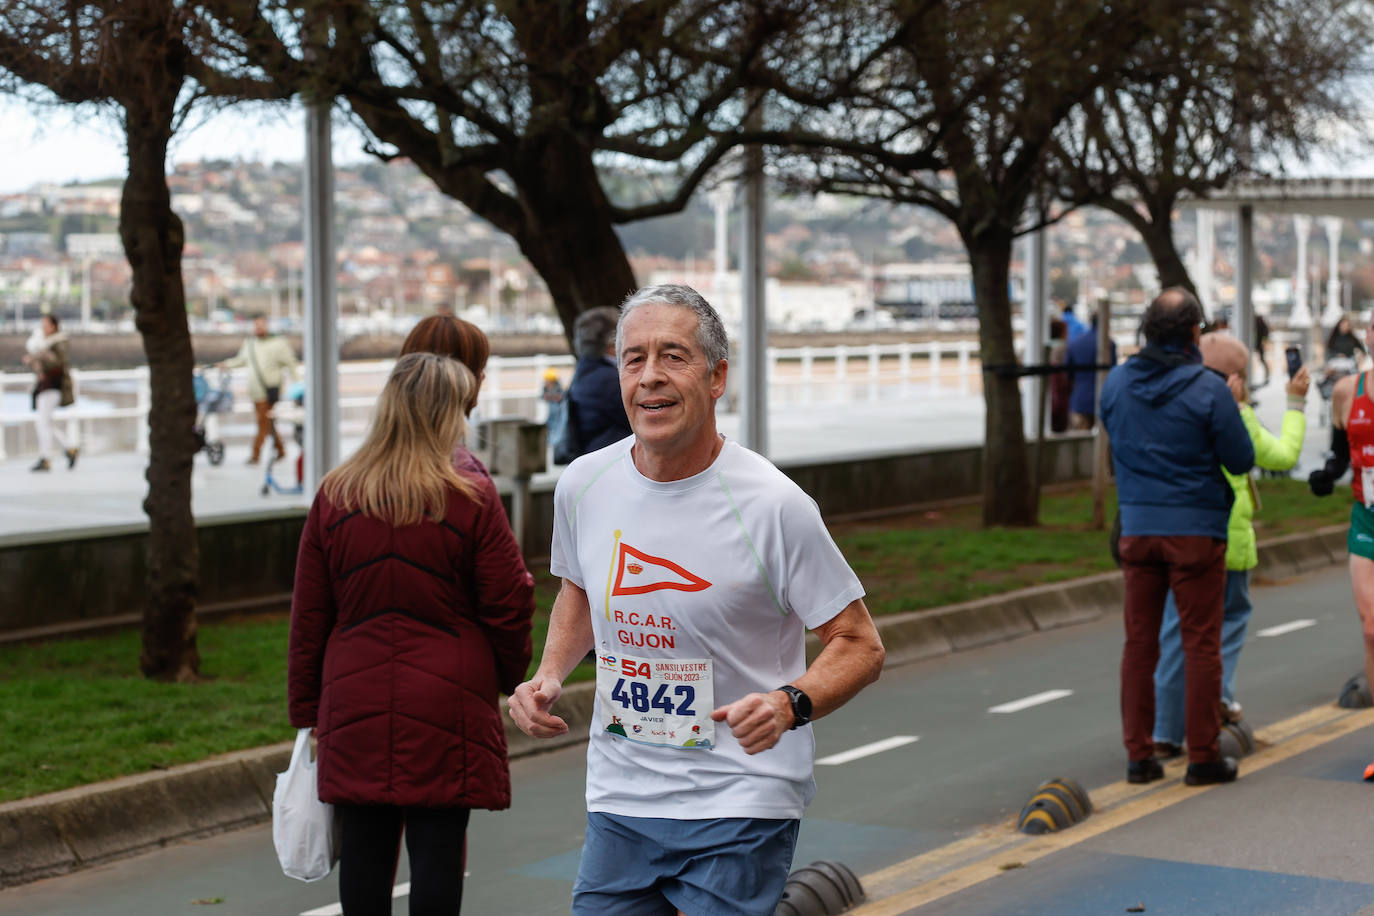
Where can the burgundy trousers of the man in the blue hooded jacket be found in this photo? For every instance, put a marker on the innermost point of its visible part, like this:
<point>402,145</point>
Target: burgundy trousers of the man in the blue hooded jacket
<point>1195,568</point>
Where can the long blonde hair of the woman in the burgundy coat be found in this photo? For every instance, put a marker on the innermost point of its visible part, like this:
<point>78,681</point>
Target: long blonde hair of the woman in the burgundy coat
<point>403,472</point>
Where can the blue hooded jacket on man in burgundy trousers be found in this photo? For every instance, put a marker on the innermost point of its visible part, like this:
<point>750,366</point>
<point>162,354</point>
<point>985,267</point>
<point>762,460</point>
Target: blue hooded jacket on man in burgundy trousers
<point>1174,425</point>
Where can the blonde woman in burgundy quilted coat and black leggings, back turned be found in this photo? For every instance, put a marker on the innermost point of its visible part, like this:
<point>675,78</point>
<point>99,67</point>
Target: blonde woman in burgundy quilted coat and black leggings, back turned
<point>412,612</point>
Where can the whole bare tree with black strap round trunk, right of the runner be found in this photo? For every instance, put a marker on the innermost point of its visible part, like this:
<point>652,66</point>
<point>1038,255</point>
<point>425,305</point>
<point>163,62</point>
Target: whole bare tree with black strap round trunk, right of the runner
<point>957,115</point>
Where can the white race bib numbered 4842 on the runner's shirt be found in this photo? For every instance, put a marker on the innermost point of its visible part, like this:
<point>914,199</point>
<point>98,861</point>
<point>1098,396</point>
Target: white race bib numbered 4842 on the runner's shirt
<point>664,702</point>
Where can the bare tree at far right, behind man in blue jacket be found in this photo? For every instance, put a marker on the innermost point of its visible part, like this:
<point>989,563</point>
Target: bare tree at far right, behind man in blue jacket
<point>1224,95</point>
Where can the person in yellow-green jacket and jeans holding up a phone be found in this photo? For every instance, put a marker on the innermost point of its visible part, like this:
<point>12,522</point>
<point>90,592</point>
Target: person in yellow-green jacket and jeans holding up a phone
<point>1230,358</point>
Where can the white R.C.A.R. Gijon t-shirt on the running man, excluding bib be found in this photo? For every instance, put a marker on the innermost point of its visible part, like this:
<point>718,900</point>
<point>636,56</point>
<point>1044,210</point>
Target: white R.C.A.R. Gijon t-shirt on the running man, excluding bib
<point>740,564</point>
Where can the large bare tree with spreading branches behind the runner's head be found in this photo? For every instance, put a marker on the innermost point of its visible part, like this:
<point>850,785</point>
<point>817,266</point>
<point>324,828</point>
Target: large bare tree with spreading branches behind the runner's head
<point>515,109</point>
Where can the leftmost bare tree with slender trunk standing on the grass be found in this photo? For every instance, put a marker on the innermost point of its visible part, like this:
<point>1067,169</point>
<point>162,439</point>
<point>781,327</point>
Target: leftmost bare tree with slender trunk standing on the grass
<point>131,57</point>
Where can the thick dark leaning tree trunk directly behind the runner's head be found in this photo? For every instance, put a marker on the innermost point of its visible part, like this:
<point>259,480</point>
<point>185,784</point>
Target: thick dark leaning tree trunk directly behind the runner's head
<point>568,234</point>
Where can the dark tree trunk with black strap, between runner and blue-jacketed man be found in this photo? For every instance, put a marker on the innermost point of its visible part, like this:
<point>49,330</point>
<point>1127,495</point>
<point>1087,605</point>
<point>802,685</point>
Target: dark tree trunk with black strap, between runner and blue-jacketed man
<point>1008,496</point>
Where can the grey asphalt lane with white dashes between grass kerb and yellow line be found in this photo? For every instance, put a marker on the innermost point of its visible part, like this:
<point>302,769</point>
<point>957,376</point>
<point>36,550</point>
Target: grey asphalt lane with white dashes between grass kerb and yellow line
<point>969,767</point>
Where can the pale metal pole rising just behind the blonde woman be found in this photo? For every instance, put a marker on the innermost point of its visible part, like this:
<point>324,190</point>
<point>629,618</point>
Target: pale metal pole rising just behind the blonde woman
<point>322,350</point>
